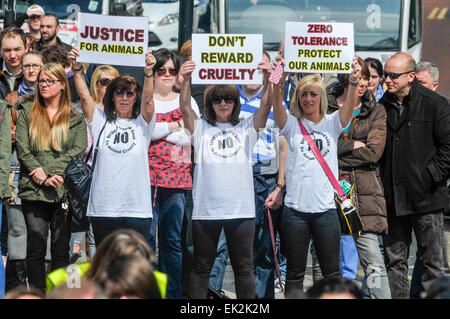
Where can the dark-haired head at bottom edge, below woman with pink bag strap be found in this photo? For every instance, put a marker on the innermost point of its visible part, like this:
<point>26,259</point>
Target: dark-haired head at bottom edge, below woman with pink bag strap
<point>334,288</point>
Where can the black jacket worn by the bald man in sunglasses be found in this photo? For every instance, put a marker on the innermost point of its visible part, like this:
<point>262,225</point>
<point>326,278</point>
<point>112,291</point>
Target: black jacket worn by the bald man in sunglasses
<point>416,160</point>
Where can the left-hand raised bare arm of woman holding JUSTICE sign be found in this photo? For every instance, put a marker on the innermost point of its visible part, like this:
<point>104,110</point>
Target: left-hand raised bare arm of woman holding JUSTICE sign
<point>87,103</point>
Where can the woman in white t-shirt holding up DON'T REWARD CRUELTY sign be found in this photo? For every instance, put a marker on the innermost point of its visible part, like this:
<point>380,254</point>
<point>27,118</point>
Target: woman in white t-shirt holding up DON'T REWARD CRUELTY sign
<point>223,192</point>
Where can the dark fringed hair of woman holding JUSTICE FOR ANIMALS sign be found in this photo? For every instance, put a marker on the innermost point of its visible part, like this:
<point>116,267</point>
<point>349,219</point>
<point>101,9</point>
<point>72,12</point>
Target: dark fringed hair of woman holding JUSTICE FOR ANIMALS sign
<point>121,83</point>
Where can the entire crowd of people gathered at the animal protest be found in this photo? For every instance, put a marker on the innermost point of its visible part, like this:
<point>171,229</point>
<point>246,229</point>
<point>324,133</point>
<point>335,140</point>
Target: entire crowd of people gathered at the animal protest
<point>186,176</point>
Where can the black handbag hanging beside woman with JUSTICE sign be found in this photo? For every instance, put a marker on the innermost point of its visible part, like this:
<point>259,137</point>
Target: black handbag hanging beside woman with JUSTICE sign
<point>77,178</point>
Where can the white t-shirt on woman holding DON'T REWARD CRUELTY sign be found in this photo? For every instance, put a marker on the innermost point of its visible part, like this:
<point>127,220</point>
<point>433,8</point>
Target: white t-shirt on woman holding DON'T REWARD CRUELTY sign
<point>223,177</point>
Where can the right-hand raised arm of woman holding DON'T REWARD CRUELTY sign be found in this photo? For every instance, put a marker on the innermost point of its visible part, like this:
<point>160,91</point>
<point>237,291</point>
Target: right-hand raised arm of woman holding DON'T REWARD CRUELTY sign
<point>260,115</point>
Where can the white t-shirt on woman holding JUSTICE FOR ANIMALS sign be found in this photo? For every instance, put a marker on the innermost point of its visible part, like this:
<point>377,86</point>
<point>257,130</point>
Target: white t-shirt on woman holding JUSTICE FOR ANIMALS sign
<point>121,181</point>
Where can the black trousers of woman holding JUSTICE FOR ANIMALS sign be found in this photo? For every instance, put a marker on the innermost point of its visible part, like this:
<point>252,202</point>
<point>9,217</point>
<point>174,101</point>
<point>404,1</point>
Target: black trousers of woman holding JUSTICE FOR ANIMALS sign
<point>103,226</point>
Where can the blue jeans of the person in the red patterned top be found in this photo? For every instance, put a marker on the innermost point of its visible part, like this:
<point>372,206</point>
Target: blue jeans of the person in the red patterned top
<point>168,212</point>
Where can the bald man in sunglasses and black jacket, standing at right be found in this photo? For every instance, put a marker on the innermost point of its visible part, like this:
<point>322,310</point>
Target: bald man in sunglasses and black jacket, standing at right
<point>416,164</point>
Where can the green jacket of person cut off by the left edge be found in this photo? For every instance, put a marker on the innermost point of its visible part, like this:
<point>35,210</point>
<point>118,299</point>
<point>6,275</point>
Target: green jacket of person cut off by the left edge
<point>5,150</point>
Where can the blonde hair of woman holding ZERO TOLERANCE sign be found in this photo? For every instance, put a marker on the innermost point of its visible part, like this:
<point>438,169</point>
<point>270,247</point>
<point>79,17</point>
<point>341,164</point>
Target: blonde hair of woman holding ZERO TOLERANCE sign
<point>305,83</point>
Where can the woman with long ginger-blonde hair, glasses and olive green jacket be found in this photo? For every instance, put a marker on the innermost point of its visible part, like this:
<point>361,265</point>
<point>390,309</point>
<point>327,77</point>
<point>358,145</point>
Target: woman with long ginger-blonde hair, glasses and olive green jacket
<point>48,136</point>
